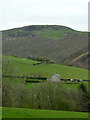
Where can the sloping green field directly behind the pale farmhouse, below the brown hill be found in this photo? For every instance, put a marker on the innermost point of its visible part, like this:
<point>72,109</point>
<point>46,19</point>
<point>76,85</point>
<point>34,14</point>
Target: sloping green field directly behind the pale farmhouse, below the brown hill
<point>20,67</point>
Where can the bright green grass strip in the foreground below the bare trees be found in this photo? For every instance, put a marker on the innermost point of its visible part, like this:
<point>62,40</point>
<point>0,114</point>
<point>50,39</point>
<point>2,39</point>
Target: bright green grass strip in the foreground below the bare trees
<point>34,113</point>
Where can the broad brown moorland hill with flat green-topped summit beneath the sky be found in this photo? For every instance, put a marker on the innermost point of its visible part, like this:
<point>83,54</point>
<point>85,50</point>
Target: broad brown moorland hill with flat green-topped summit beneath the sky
<point>59,44</point>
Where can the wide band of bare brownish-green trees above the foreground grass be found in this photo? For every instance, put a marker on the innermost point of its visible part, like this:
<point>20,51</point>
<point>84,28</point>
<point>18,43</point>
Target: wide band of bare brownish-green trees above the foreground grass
<point>44,95</point>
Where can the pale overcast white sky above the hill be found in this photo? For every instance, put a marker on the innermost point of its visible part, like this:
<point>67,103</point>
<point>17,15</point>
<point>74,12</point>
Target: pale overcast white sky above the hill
<point>18,13</point>
